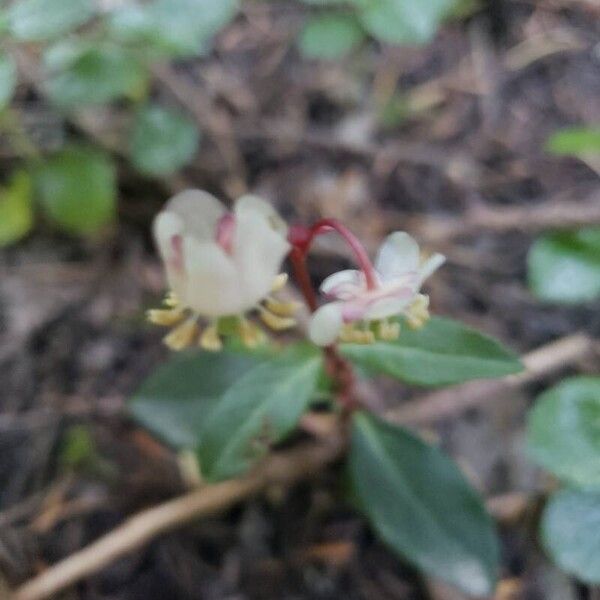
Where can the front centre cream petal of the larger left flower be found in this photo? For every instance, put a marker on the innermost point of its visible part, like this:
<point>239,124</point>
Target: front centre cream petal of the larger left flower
<point>211,286</point>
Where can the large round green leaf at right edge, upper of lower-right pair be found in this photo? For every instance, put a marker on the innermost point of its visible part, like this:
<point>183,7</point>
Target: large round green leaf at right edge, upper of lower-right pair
<point>564,431</point>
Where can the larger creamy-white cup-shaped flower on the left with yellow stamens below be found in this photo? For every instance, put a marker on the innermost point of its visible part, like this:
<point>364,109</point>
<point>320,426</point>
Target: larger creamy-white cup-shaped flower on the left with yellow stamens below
<point>219,264</point>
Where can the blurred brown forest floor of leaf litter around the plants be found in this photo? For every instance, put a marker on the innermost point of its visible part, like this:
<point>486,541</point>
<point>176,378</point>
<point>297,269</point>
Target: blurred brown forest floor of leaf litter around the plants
<point>445,141</point>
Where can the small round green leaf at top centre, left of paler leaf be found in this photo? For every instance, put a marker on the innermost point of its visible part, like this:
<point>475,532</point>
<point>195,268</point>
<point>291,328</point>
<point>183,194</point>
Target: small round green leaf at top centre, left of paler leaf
<point>330,36</point>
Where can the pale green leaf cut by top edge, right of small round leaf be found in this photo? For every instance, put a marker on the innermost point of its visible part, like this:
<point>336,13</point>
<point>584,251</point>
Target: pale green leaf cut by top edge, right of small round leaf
<point>402,21</point>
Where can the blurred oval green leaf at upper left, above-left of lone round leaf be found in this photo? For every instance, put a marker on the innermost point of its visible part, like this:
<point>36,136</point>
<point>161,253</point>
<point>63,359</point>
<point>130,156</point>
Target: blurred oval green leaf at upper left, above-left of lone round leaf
<point>96,75</point>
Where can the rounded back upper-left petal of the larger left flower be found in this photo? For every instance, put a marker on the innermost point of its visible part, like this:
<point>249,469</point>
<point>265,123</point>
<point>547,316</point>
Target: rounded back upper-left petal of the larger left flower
<point>199,212</point>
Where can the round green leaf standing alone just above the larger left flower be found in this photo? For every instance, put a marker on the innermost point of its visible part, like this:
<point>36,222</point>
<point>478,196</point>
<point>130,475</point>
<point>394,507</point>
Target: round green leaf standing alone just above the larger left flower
<point>162,141</point>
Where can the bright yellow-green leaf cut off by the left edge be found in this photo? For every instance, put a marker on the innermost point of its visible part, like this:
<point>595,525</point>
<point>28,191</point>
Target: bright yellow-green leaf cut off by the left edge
<point>16,210</point>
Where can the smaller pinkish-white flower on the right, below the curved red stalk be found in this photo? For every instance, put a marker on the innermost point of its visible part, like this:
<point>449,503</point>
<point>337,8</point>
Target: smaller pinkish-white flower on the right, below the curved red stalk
<point>358,312</point>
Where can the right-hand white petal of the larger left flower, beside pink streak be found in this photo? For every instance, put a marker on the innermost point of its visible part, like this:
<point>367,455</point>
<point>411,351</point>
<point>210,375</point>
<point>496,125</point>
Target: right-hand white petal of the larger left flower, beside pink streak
<point>258,251</point>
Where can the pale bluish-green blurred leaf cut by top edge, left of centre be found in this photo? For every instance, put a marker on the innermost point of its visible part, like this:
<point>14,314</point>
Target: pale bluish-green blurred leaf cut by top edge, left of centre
<point>175,27</point>
